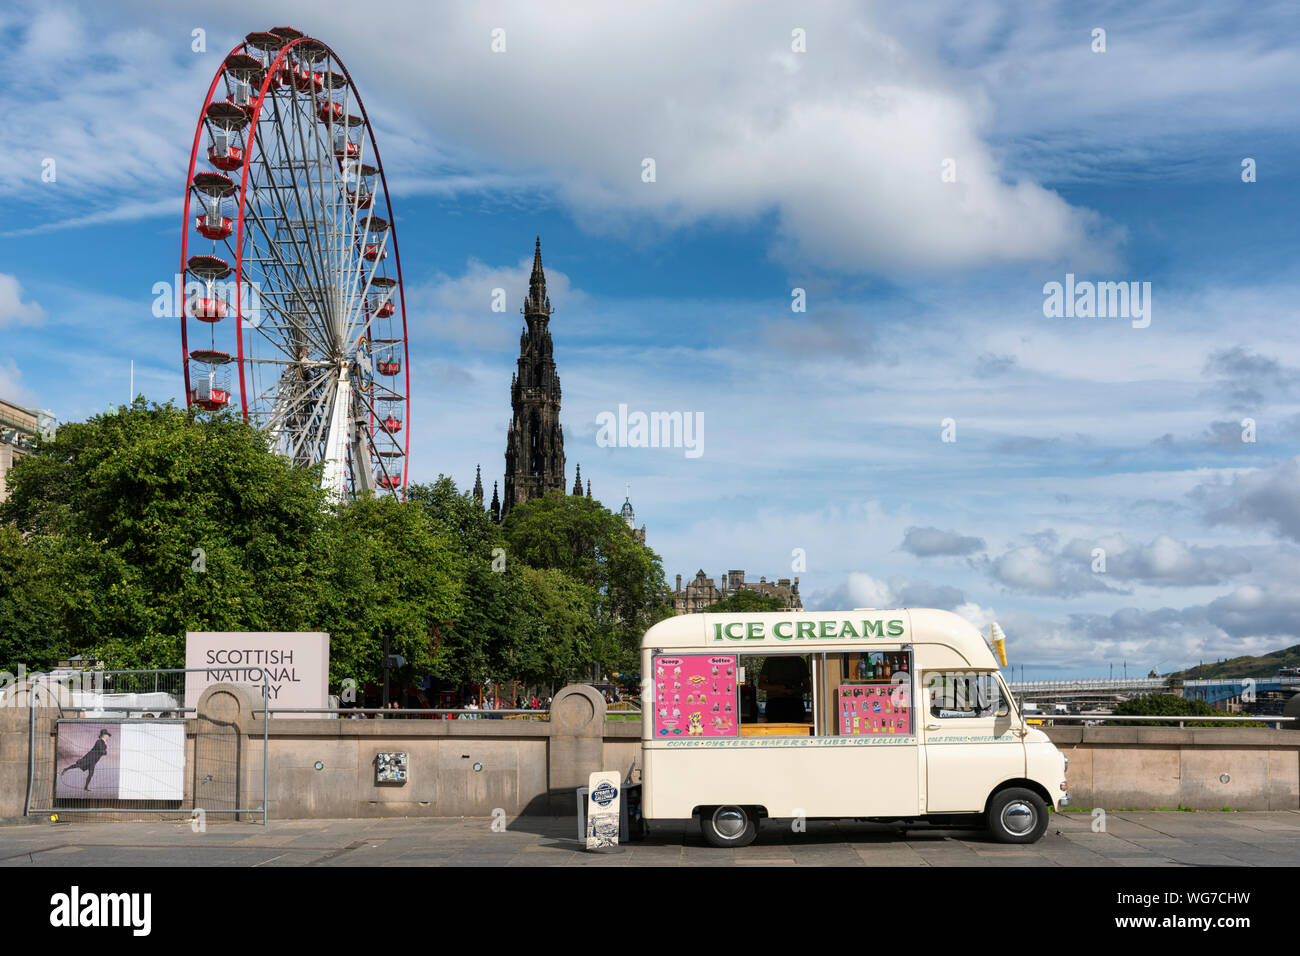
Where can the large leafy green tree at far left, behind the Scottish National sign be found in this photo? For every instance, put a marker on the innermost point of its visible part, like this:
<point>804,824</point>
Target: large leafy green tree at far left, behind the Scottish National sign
<point>149,522</point>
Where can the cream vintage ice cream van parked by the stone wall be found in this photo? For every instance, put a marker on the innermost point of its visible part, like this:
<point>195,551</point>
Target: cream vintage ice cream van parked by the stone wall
<point>898,716</point>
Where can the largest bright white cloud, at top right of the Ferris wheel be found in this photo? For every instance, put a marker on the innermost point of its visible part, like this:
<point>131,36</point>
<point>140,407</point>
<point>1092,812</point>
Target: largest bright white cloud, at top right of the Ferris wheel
<point>843,145</point>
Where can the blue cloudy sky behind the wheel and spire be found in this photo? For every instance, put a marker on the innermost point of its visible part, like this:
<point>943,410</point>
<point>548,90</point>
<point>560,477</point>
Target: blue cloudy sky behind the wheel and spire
<point>842,267</point>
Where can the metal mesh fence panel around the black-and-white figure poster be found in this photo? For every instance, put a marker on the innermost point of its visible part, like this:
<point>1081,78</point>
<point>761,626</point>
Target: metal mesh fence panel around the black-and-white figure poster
<point>124,745</point>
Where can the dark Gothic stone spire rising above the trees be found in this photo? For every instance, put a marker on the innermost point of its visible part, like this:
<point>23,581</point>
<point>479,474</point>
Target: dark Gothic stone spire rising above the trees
<point>535,445</point>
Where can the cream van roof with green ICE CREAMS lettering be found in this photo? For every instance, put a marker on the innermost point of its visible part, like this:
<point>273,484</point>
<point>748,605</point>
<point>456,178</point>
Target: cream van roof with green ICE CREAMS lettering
<point>847,630</point>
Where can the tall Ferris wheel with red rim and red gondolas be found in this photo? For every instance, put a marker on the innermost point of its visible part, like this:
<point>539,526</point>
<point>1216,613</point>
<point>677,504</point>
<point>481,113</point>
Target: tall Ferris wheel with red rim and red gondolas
<point>294,310</point>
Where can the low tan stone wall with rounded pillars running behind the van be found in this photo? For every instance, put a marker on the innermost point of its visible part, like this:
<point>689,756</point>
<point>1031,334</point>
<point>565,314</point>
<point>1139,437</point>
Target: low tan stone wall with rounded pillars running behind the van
<point>534,767</point>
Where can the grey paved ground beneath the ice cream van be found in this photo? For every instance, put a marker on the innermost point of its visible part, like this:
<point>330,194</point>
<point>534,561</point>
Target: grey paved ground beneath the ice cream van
<point>1132,840</point>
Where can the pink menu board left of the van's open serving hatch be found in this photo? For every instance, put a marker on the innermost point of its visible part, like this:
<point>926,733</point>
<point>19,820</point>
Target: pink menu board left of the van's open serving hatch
<point>696,698</point>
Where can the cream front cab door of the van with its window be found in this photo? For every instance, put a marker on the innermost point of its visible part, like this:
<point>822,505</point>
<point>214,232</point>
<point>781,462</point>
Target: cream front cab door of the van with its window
<point>973,739</point>
